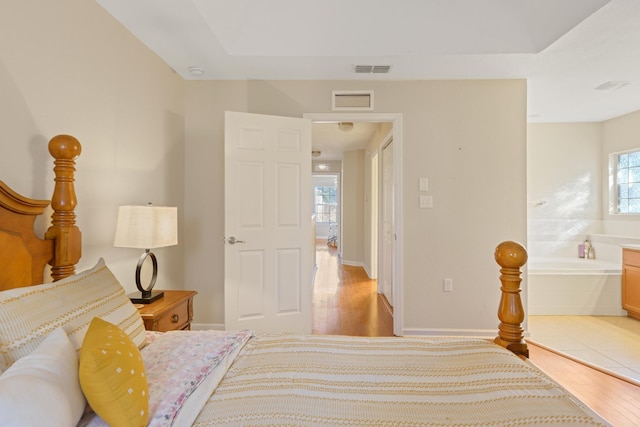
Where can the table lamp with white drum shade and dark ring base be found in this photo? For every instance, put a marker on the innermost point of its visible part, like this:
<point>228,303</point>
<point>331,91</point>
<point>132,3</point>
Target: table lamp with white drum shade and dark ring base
<point>146,227</point>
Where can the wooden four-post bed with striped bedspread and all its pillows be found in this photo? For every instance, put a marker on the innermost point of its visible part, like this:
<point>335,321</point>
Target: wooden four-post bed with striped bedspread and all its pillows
<point>74,351</point>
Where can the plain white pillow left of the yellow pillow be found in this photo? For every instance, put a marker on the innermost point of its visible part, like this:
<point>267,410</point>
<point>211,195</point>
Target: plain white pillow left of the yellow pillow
<point>43,388</point>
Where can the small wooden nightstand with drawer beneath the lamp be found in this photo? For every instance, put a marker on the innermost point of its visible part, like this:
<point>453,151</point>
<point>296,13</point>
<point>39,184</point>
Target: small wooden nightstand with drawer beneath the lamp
<point>171,312</point>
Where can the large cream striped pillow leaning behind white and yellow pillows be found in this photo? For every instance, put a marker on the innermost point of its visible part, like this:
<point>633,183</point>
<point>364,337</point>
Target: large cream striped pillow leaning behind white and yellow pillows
<point>29,314</point>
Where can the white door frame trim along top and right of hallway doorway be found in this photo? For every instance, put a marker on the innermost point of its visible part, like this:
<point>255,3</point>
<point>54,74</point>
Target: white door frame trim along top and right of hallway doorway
<point>396,120</point>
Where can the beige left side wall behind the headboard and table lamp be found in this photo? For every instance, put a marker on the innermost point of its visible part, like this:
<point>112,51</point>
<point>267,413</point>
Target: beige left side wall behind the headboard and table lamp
<point>68,67</point>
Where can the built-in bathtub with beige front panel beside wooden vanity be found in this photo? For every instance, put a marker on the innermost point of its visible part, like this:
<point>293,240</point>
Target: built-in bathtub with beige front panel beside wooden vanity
<point>574,286</point>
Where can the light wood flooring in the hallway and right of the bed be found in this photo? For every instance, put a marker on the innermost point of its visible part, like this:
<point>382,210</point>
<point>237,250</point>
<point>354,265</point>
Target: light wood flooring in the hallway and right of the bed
<point>345,302</point>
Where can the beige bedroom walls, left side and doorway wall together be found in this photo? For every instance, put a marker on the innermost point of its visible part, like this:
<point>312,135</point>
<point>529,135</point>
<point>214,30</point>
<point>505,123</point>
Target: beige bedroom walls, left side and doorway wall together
<point>68,67</point>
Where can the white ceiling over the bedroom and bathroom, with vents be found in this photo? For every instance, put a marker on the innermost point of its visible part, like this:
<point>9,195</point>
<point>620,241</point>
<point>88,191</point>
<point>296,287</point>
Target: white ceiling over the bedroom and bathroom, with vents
<point>564,48</point>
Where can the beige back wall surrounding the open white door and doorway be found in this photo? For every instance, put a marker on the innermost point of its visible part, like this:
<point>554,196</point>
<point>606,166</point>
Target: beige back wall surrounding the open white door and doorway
<point>467,137</point>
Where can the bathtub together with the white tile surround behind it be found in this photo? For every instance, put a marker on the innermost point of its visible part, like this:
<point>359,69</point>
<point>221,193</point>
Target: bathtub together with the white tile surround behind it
<point>561,283</point>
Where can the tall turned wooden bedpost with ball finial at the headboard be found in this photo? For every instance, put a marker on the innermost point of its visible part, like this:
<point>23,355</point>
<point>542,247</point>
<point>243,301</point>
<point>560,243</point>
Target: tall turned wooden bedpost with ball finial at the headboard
<point>68,239</point>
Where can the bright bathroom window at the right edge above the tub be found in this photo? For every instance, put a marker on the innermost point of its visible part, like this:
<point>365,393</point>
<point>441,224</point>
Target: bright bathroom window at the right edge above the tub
<point>627,179</point>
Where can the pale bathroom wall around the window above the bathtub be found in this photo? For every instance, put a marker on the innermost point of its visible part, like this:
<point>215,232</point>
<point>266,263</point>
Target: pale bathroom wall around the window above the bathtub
<point>568,169</point>
